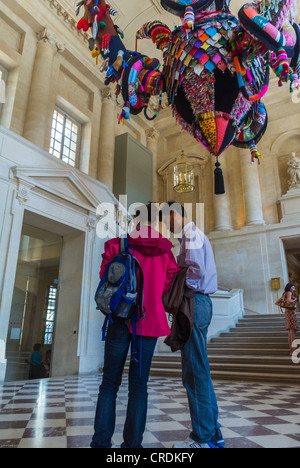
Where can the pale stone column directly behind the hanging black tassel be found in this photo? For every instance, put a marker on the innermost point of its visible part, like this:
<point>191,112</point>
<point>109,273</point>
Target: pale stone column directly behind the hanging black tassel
<point>222,210</point>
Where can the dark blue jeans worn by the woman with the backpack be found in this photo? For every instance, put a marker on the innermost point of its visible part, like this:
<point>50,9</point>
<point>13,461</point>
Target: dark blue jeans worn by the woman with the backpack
<point>117,345</point>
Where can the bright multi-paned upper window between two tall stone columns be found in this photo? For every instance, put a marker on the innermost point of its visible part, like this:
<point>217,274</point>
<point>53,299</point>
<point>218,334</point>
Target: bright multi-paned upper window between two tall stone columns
<point>65,138</point>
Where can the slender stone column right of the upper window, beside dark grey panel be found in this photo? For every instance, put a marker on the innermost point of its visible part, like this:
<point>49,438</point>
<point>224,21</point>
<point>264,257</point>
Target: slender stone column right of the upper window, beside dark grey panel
<point>106,154</point>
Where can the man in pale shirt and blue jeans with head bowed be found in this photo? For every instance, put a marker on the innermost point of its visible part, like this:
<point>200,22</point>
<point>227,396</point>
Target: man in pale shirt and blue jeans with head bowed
<point>196,253</point>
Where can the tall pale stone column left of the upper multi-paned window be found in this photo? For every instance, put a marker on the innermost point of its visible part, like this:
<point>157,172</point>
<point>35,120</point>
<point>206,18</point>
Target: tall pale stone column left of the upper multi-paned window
<point>36,123</point>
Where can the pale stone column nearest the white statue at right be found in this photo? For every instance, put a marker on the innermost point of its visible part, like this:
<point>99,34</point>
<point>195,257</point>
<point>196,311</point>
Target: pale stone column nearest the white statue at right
<point>251,189</point>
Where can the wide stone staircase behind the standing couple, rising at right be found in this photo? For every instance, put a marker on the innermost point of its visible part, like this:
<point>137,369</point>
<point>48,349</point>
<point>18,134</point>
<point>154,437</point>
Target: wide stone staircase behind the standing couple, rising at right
<point>255,350</point>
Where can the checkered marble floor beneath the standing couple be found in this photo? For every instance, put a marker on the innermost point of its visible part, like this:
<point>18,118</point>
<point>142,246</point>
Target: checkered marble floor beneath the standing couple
<point>59,413</point>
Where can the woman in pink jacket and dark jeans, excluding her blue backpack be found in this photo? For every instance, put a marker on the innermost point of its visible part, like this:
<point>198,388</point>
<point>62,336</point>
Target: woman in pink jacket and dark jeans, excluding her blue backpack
<point>153,251</point>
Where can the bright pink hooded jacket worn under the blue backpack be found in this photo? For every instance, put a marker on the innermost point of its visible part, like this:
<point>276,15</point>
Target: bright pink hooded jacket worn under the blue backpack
<point>158,263</point>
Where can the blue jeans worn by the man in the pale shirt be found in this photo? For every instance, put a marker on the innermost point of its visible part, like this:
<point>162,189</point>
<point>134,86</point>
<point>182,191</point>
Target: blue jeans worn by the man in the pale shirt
<point>196,375</point>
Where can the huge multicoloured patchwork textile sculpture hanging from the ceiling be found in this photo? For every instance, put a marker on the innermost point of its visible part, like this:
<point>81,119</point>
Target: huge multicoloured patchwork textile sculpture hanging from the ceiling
<point>215,71</point>
